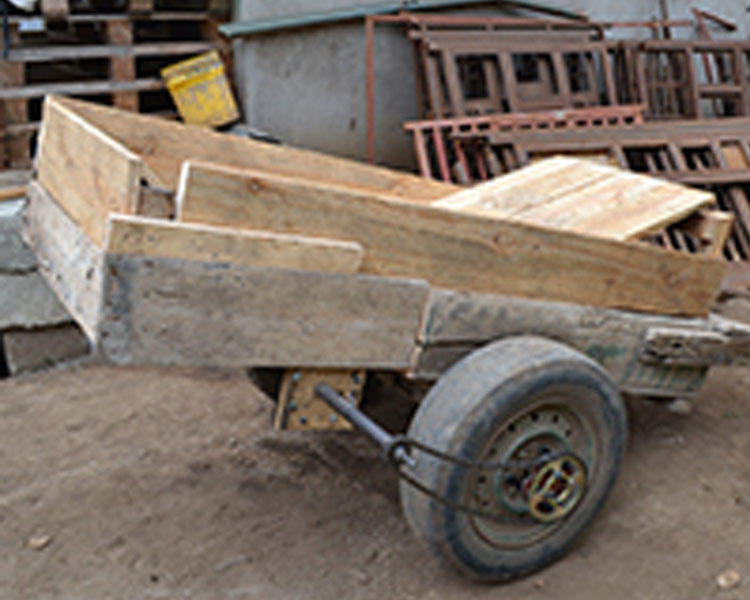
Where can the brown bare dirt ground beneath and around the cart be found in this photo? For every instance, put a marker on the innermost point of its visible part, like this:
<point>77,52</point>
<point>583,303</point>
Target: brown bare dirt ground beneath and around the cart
<point>169,483</point>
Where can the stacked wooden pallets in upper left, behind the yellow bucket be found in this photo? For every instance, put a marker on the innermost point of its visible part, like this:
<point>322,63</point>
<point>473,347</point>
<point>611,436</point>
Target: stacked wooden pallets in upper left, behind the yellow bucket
<point>111,57</point>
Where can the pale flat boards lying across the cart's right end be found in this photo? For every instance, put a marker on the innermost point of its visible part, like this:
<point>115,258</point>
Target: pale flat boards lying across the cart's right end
<point>580,196</point>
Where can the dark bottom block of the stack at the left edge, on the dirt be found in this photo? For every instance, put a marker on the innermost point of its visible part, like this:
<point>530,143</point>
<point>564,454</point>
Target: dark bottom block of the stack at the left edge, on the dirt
<point>41,348</point>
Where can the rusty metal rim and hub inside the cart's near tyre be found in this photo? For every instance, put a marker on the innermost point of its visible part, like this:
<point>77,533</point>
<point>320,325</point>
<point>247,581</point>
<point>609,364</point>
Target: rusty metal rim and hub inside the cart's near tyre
<point>549,426</point>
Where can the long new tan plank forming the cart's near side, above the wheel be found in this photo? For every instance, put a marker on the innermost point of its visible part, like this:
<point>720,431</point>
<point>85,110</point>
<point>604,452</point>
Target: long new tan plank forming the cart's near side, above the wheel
<point>452,249</point>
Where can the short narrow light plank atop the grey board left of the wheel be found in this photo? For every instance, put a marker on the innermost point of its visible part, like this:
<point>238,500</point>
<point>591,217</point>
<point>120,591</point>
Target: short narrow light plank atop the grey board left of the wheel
<point>189,241</point>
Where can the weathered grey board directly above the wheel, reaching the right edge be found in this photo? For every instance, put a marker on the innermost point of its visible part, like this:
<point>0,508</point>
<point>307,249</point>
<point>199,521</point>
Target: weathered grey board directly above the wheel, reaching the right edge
<point>627,344</point>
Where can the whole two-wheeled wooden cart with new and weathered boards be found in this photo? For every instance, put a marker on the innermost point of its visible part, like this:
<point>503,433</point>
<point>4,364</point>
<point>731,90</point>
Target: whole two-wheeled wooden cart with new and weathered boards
<point>178,245</point>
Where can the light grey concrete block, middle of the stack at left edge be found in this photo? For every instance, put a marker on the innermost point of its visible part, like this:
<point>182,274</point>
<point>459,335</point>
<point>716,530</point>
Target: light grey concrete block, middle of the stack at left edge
<point>26,301</point>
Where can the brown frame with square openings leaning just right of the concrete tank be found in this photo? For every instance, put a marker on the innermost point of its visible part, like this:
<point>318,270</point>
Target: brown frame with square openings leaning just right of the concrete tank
<point>500,72</point>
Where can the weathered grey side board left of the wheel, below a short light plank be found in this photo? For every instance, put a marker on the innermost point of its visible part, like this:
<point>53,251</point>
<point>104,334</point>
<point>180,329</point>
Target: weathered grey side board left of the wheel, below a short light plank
<point>176,312</point>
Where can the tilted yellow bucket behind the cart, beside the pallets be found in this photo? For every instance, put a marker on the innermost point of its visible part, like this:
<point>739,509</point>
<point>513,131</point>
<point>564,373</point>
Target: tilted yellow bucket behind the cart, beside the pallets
<point>201,91</point>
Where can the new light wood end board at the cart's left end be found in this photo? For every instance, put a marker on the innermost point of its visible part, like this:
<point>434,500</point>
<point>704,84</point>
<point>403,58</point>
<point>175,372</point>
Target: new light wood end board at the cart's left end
<point>87,172</point>
